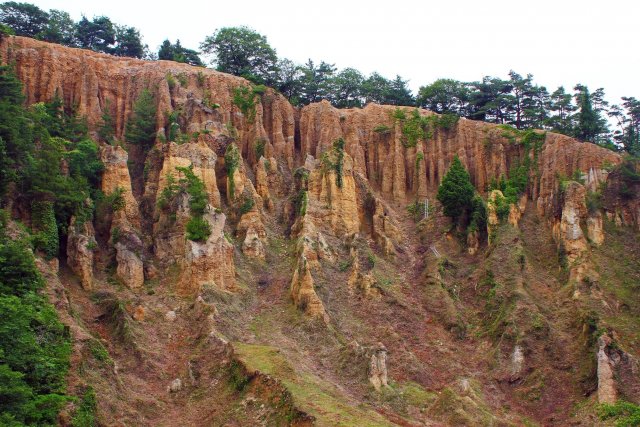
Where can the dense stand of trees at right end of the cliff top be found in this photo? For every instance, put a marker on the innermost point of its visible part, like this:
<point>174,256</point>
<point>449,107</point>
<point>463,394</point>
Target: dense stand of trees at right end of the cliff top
<point>519,102</point>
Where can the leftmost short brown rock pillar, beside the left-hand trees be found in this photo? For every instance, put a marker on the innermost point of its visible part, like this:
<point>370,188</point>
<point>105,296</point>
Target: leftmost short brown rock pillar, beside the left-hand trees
<point>81,244</point>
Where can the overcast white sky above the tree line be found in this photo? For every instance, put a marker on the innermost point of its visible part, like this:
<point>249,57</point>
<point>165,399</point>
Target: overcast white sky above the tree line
<point>560,42</point>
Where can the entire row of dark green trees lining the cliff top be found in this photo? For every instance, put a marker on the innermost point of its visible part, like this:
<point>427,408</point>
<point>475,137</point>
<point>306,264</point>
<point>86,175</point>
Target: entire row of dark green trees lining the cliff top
<point>515,100</point>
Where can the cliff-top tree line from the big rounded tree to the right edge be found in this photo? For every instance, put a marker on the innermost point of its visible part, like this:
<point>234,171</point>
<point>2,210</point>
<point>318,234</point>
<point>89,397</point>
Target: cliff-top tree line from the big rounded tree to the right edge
<point>515,101</point>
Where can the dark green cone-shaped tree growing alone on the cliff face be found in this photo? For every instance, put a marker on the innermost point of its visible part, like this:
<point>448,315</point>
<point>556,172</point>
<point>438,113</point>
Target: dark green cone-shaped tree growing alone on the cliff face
<point>456,191</point>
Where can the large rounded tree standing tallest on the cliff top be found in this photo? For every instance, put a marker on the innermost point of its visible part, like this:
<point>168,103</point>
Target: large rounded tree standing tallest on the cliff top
<point>243,52</point>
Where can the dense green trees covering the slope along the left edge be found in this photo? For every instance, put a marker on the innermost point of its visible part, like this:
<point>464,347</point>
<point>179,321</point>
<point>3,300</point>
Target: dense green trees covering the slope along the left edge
<point>35,143</point>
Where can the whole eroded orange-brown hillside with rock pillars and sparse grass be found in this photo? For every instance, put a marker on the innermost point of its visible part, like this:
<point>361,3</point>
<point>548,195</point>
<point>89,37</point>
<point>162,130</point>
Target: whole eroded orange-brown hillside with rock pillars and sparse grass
<point>317,297</point>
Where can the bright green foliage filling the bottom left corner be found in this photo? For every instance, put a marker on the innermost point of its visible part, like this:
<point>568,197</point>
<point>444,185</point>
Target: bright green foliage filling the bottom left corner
<point>34,345</point>
